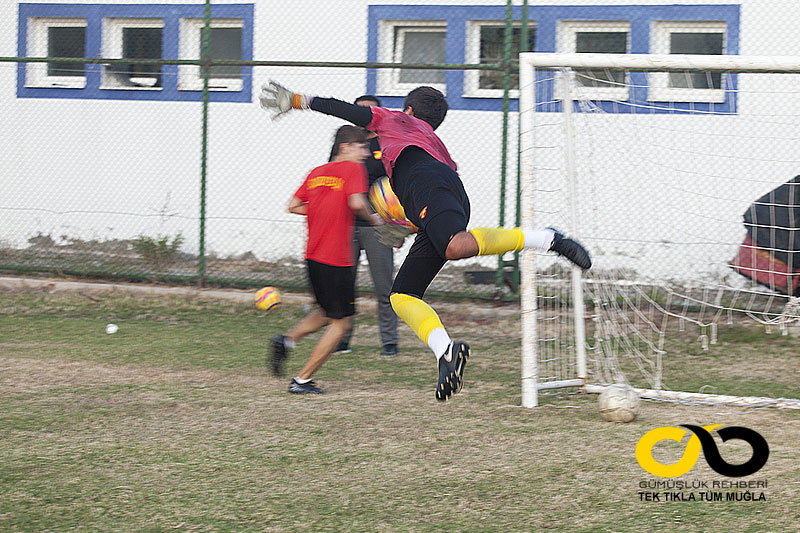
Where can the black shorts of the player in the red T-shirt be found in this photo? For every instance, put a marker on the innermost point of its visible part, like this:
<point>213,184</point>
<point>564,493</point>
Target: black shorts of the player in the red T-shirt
<point>334,288</point>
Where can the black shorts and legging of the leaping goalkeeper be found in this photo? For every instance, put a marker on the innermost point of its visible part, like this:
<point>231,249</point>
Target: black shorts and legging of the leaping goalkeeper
<point>434,199</point>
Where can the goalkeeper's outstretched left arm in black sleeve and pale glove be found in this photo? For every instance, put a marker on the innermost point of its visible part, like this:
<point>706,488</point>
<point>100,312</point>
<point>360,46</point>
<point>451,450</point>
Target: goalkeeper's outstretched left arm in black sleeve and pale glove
<point>280,100</point>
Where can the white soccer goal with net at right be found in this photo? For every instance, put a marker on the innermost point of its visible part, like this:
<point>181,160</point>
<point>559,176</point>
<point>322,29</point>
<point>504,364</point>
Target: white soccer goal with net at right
<point>680,174</point>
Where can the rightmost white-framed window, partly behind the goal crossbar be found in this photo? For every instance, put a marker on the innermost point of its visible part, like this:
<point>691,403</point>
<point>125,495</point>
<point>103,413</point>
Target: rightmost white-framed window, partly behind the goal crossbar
<point>707,38</point>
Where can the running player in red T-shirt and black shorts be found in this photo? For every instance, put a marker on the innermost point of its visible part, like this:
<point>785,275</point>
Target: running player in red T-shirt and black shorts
<point>328,197</point>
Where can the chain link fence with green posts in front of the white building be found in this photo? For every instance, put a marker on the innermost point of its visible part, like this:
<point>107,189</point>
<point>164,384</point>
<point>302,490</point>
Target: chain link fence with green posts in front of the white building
<point>134,147</point>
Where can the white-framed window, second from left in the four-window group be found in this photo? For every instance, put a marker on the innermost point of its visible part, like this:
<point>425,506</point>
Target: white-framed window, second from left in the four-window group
<point>486,44</point>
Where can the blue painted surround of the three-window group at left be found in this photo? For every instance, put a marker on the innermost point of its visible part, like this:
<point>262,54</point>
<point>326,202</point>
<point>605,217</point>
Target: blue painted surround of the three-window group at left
<point>169,18</point>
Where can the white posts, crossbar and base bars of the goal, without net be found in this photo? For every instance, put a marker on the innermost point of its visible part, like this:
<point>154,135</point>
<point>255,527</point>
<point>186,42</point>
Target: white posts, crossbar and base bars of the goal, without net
<point>529,64</point>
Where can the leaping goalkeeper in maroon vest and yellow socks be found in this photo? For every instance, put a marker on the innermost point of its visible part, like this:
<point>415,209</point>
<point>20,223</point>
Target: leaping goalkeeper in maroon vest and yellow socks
<point>425,180</point>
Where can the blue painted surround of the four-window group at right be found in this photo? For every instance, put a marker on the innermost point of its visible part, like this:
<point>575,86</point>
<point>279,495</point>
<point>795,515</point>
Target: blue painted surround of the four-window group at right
<point>545,19</point>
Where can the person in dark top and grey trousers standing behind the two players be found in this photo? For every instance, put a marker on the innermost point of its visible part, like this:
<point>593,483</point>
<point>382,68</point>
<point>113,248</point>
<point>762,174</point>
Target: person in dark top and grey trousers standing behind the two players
<point>379,256</point>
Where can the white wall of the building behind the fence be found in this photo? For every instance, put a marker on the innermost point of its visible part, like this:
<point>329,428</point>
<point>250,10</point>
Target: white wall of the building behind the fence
<point>92,169</point>
